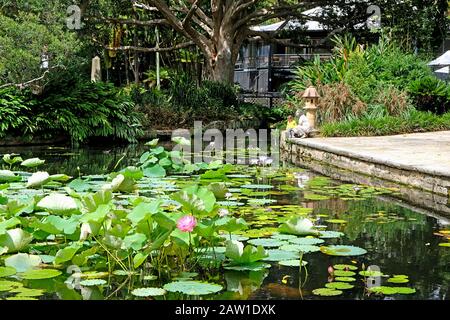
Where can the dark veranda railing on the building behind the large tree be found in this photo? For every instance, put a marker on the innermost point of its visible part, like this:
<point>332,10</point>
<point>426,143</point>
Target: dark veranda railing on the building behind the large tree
<point>278,60</point>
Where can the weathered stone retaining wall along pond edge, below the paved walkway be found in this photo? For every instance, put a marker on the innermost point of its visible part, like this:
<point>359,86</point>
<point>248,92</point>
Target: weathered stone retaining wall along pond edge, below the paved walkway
<point>421,189</point>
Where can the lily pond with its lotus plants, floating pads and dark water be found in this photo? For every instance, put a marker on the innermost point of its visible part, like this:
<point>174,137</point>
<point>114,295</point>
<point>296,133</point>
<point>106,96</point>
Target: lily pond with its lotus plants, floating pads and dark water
<point>119,236</point>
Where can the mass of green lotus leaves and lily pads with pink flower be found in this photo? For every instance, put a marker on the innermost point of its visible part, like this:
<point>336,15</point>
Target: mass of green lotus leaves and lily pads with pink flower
<point>173,225</point>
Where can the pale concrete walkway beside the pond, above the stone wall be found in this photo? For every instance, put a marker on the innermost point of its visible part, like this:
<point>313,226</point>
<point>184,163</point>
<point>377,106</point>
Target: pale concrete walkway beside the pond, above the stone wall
<point>423,152</point>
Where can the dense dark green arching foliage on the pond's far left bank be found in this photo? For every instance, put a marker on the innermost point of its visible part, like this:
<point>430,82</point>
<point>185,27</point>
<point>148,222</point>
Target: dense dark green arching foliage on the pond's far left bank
<point>79,110</point>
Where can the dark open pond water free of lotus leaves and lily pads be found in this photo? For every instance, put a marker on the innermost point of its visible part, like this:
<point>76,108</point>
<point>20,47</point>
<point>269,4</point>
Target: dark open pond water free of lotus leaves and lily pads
<point>403,244</point>
